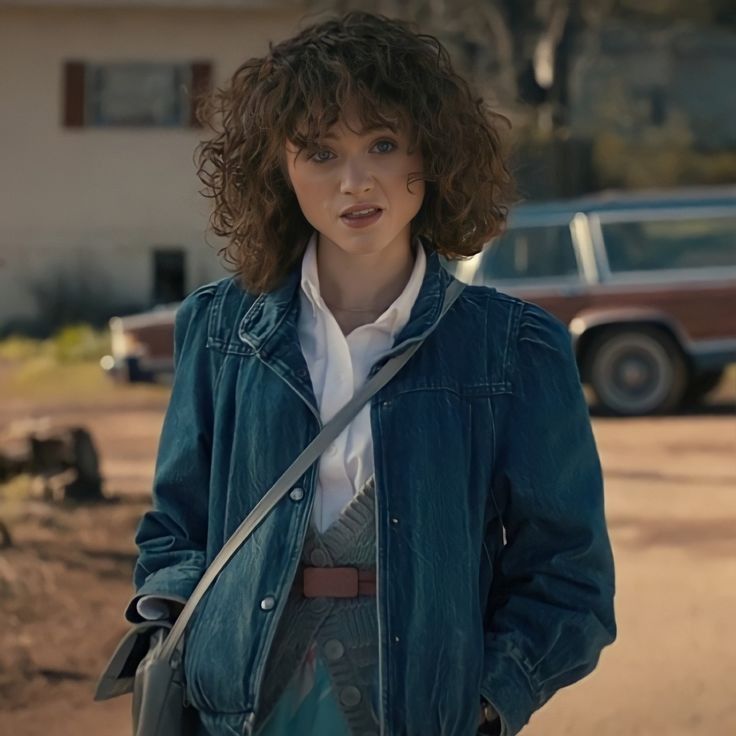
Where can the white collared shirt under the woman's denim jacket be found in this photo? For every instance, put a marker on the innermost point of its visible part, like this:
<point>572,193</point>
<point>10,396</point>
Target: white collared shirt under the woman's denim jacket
<point>338,365</point>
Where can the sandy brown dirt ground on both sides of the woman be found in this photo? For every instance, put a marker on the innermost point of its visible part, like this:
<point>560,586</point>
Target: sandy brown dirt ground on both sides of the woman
<point>671,506</point>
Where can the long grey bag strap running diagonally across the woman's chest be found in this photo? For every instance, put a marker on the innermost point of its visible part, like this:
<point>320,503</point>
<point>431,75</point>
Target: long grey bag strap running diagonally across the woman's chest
<point>291,475</point>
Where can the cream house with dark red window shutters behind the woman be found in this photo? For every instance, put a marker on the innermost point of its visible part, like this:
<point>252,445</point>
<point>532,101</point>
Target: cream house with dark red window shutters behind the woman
<point>100,211</point>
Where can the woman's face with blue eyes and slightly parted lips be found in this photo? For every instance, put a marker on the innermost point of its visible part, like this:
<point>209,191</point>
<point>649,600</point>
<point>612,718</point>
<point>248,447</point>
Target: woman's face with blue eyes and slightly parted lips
<point>370,170</point>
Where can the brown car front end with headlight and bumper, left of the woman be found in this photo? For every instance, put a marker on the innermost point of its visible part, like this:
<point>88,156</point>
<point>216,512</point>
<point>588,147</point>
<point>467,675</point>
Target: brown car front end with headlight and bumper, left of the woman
<point>142,346</point>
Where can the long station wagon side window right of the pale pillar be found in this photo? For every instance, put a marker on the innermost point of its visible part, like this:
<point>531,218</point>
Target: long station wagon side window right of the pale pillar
<point>670,244</point>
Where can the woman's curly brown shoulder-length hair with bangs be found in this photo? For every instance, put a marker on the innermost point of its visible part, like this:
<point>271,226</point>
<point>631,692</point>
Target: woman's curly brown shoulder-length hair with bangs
<point>297,91</point>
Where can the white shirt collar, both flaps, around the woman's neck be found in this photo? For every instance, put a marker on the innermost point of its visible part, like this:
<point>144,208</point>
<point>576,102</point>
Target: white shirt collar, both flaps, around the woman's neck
<point>395,317</point>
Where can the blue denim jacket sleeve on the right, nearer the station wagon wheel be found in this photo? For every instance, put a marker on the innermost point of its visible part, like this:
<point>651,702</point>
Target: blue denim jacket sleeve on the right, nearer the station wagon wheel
<point>551,606</point>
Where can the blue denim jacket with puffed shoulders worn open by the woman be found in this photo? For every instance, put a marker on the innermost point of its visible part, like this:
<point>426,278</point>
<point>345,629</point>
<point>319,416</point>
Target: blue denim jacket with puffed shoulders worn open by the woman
<point>495,574</point>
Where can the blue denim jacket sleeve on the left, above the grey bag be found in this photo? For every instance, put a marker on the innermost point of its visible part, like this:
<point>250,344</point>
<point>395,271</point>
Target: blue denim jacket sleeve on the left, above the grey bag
<point>172,537</point>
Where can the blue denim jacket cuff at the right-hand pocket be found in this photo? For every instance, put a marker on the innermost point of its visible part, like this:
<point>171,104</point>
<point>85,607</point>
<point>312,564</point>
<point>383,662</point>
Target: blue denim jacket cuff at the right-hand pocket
<point>507,688</point>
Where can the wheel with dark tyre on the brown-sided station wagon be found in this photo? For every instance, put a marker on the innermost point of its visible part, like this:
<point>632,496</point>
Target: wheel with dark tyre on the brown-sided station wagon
<point>637,371</point>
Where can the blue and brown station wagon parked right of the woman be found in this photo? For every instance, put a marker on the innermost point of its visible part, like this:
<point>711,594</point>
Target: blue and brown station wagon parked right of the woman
<point>646,282</point>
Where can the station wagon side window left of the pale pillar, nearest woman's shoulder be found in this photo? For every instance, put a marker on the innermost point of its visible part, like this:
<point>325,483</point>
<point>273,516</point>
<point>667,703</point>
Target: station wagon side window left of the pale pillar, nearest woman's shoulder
<point>531,253</point>
